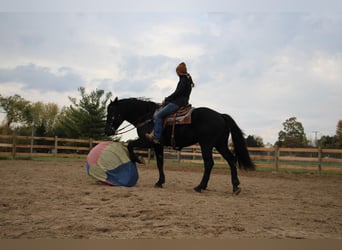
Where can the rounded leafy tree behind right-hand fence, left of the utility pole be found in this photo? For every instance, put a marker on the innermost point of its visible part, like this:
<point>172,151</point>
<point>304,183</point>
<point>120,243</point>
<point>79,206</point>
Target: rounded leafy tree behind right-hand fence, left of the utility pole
<point>292,135</point>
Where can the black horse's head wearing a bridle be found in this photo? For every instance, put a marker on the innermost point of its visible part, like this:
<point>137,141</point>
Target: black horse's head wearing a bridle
<point>114,117</point>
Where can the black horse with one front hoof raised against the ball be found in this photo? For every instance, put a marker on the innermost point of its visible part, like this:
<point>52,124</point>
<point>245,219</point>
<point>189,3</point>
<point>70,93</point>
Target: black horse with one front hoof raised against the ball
<point>208,128</point>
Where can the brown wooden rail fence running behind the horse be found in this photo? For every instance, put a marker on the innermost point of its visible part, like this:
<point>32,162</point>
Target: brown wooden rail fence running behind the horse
<point>301,159</point>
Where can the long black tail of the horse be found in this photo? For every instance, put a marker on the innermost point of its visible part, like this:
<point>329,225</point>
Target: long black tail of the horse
<point>239,142</point>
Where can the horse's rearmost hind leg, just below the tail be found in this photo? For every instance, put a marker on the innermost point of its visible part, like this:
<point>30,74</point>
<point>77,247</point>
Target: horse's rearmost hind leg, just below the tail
<point>229,157</point>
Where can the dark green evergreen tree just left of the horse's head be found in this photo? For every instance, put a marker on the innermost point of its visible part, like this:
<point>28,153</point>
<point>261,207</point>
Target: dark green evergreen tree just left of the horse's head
<point>84,118</point>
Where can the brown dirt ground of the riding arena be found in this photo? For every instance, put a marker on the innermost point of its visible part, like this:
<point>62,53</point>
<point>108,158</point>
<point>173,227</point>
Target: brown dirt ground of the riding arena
<point>44,200</point>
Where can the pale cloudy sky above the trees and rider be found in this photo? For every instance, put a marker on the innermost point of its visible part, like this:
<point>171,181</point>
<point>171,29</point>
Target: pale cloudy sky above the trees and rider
<point>260,64</point>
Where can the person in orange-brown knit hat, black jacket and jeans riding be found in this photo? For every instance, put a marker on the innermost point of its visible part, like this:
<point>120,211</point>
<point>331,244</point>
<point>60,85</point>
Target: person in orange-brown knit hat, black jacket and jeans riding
<point>179,98</point>
